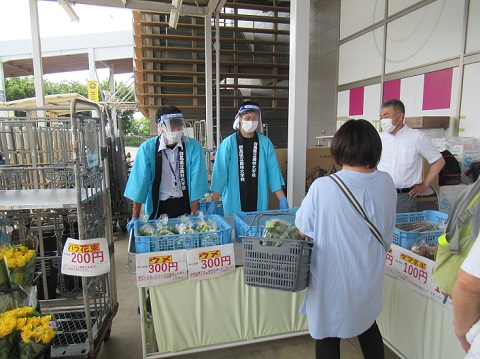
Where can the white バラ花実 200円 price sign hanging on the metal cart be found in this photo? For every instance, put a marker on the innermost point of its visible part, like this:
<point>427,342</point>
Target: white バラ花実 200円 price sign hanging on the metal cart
<point>86,258</point>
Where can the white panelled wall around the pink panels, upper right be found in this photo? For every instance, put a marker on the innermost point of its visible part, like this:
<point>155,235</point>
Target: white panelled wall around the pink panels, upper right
<point>421,41</point>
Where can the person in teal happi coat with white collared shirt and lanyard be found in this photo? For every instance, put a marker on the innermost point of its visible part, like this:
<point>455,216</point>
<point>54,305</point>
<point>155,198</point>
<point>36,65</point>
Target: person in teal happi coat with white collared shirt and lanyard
<point>169,173</point>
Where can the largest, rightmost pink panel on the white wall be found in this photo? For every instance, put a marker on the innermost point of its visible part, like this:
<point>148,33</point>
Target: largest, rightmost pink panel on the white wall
<point>437,89</point>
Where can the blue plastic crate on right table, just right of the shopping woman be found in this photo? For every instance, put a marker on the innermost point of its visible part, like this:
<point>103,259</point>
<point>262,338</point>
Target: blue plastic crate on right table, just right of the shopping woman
<point>407,239</point>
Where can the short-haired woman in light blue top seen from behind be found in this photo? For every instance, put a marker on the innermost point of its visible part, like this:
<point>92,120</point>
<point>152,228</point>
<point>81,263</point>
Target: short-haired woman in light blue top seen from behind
<point>347,265</point>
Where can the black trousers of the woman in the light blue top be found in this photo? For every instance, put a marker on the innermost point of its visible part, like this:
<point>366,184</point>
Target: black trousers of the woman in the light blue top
<point>370,341</point>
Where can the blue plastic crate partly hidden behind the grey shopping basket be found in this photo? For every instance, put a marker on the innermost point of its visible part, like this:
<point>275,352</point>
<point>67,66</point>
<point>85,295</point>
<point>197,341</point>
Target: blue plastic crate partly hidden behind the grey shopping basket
<point>251,224</point>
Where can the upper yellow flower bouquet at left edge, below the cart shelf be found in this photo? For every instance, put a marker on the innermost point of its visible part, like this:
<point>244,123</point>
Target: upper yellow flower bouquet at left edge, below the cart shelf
<point>21,265</point>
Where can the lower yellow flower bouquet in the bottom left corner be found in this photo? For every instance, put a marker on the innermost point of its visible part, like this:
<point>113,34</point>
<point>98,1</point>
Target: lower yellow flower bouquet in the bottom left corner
<point>27,334</point>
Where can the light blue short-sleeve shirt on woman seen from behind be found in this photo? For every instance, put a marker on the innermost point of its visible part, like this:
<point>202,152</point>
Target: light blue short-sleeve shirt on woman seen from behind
<point>344,296</point>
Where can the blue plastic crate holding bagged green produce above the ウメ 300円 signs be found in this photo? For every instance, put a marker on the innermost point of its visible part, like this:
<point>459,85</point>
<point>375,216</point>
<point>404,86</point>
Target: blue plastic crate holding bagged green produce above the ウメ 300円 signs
<point>146,244</point>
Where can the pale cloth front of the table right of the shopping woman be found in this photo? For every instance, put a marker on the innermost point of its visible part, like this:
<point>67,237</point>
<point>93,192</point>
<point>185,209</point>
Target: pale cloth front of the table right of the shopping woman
<point>417,326</point>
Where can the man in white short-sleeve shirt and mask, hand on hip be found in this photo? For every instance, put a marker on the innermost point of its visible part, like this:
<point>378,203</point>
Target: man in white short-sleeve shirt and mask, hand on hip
<point>402,153</point>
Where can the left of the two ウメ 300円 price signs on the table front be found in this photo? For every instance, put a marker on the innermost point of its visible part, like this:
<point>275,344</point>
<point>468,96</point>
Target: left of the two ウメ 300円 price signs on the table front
<point>159,268</point>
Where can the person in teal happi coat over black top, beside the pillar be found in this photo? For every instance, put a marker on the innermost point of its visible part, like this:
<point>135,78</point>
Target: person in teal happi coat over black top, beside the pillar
<point>246,166</point>
